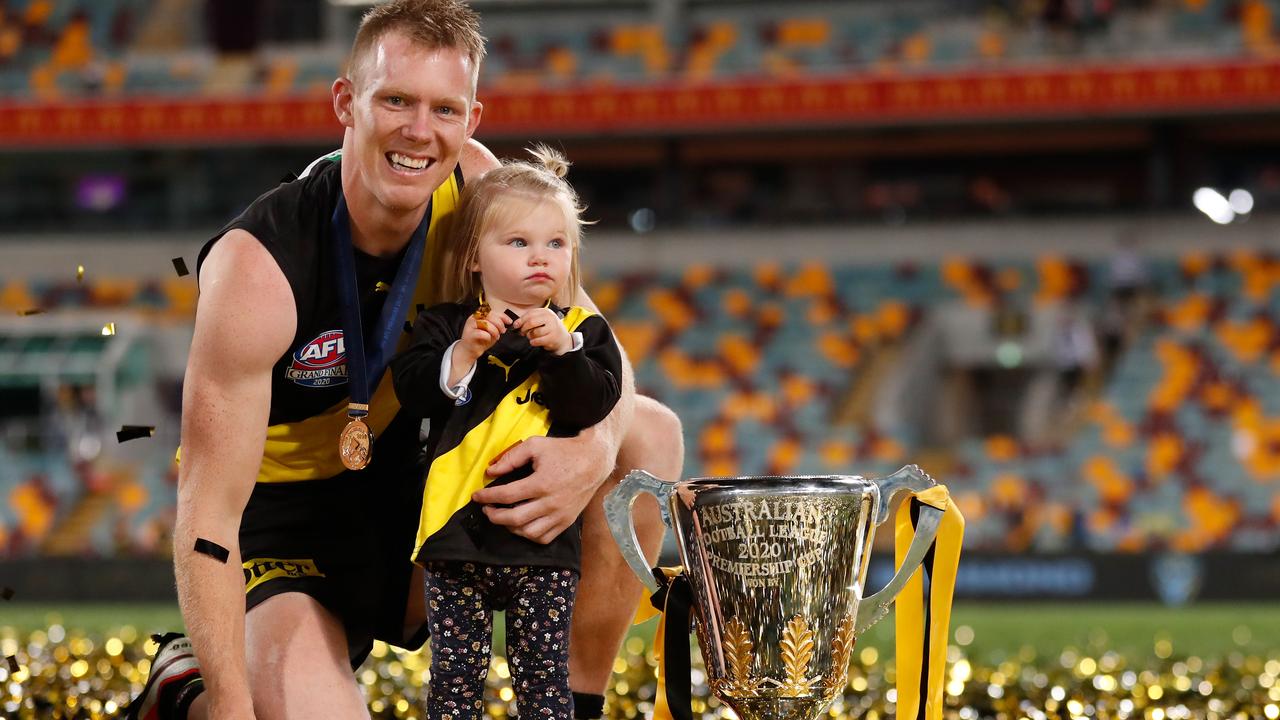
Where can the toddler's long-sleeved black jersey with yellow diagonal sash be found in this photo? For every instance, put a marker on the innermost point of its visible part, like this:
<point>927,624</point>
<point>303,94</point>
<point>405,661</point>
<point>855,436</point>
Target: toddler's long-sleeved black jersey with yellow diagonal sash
<point>518,393</point>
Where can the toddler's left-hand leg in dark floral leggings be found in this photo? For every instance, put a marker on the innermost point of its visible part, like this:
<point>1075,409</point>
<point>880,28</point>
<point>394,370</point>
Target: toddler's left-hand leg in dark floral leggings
<point>459,619</point>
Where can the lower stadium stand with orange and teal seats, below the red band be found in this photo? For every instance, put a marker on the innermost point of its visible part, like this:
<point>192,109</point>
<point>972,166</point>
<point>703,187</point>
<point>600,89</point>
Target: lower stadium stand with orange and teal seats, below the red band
<point>1169,444</point>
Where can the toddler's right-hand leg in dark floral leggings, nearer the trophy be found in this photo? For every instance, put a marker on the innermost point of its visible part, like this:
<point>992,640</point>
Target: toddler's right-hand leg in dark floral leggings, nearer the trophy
<point>538,622</point>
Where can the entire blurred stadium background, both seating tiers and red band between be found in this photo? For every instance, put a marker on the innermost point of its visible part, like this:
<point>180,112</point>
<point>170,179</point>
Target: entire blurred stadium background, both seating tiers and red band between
<point>1068,311</point>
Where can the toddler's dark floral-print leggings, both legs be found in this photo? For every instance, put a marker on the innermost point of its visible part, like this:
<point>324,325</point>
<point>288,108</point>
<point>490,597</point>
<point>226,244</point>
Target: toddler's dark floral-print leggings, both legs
<point>540,603</point>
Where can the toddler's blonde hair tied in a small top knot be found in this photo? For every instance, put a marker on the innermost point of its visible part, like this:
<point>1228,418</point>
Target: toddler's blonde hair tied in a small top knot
<point>482,206</point>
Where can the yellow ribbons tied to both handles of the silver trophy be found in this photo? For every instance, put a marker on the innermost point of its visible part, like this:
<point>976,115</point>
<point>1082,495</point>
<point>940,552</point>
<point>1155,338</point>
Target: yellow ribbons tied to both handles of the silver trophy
<point>921,636</point>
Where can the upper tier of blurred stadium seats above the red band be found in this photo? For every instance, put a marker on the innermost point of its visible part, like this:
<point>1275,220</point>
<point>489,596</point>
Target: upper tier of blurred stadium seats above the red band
<point>51,48</point>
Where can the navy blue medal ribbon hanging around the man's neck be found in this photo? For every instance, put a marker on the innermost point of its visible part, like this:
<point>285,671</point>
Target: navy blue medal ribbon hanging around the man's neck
<point>367,371</point>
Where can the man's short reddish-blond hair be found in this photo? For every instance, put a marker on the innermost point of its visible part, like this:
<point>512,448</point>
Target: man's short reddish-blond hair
<point>433,24</point>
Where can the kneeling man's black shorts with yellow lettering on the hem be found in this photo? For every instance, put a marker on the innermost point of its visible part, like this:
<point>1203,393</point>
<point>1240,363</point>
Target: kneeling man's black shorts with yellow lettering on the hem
<point>345,541</point>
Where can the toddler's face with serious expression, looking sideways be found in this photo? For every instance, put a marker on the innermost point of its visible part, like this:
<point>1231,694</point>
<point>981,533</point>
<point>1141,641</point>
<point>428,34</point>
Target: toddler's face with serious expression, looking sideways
<point>525,256</point>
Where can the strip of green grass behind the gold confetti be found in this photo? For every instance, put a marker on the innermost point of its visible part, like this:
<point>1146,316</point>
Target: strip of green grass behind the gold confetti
<point>998,631</point>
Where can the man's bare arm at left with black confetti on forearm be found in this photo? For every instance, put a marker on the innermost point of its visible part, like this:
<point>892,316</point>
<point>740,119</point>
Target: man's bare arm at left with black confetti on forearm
<point>245,321</point>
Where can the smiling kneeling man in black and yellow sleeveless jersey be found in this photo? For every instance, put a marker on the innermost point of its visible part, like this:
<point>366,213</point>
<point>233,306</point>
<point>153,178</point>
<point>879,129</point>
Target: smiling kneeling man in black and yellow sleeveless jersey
<point>268,517</point>
